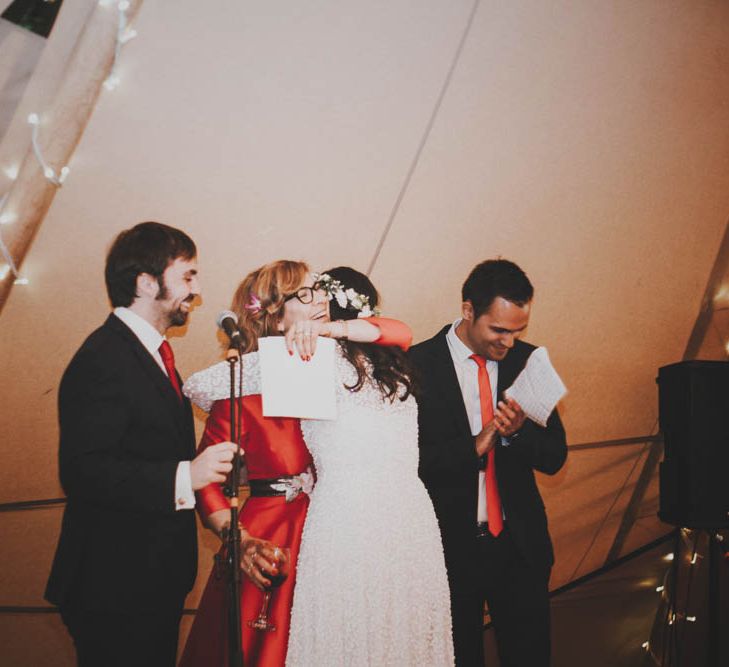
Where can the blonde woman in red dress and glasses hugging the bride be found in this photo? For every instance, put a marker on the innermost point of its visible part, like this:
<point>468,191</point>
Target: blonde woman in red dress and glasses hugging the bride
<point>281,297</point>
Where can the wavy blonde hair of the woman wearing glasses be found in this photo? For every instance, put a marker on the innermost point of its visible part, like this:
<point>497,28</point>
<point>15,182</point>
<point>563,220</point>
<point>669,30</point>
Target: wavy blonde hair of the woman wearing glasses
<point>265,287</point>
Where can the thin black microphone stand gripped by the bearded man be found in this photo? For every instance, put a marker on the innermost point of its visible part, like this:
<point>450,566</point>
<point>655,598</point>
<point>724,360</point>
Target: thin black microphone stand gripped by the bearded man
<point>231,535</point>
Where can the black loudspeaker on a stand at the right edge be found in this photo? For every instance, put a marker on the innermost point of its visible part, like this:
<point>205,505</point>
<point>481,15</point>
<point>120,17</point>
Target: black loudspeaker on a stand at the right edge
<point>693,412</point>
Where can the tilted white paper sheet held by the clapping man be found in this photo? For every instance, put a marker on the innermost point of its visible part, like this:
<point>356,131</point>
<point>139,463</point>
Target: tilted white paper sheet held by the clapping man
<point>538,388</point>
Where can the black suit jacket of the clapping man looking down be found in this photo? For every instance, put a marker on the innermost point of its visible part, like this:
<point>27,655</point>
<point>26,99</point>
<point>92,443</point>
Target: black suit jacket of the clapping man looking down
<point>449,465</point>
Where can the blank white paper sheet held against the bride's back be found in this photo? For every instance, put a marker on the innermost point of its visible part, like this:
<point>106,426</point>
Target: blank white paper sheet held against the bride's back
<point>295,388</point>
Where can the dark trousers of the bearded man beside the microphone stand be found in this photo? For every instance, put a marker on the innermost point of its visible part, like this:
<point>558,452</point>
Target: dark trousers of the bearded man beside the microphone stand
<point>113,639</point>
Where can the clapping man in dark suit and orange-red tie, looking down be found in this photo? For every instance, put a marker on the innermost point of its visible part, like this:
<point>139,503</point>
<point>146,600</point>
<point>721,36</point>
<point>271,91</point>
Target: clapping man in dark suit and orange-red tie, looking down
<point>478,453</point>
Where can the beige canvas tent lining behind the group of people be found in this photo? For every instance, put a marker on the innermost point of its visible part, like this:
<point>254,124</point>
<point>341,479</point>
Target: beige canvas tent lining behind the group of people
<point>587,141</point>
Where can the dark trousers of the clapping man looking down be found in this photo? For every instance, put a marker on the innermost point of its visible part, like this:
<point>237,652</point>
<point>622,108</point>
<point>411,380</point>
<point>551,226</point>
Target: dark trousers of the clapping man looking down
<point>517,596</point>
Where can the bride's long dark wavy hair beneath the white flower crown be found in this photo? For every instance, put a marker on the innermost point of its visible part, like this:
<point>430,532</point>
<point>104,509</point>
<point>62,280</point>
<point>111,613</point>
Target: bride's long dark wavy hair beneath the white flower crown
<point>391,368</point>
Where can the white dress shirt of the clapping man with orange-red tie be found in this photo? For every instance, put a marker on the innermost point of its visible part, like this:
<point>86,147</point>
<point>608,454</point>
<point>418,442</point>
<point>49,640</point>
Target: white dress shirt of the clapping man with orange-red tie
<point>467,374</point>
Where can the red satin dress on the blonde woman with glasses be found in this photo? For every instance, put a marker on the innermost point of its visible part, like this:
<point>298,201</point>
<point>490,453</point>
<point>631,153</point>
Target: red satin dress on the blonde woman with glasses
<point>274,447</point>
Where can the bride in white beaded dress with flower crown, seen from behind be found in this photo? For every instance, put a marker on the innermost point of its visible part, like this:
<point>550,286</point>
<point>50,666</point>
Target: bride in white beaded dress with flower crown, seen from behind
<point>371,583</point>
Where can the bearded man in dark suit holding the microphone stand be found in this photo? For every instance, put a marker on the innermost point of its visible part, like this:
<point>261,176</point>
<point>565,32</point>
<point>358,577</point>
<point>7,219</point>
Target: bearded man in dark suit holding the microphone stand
<point>127,553</point>
